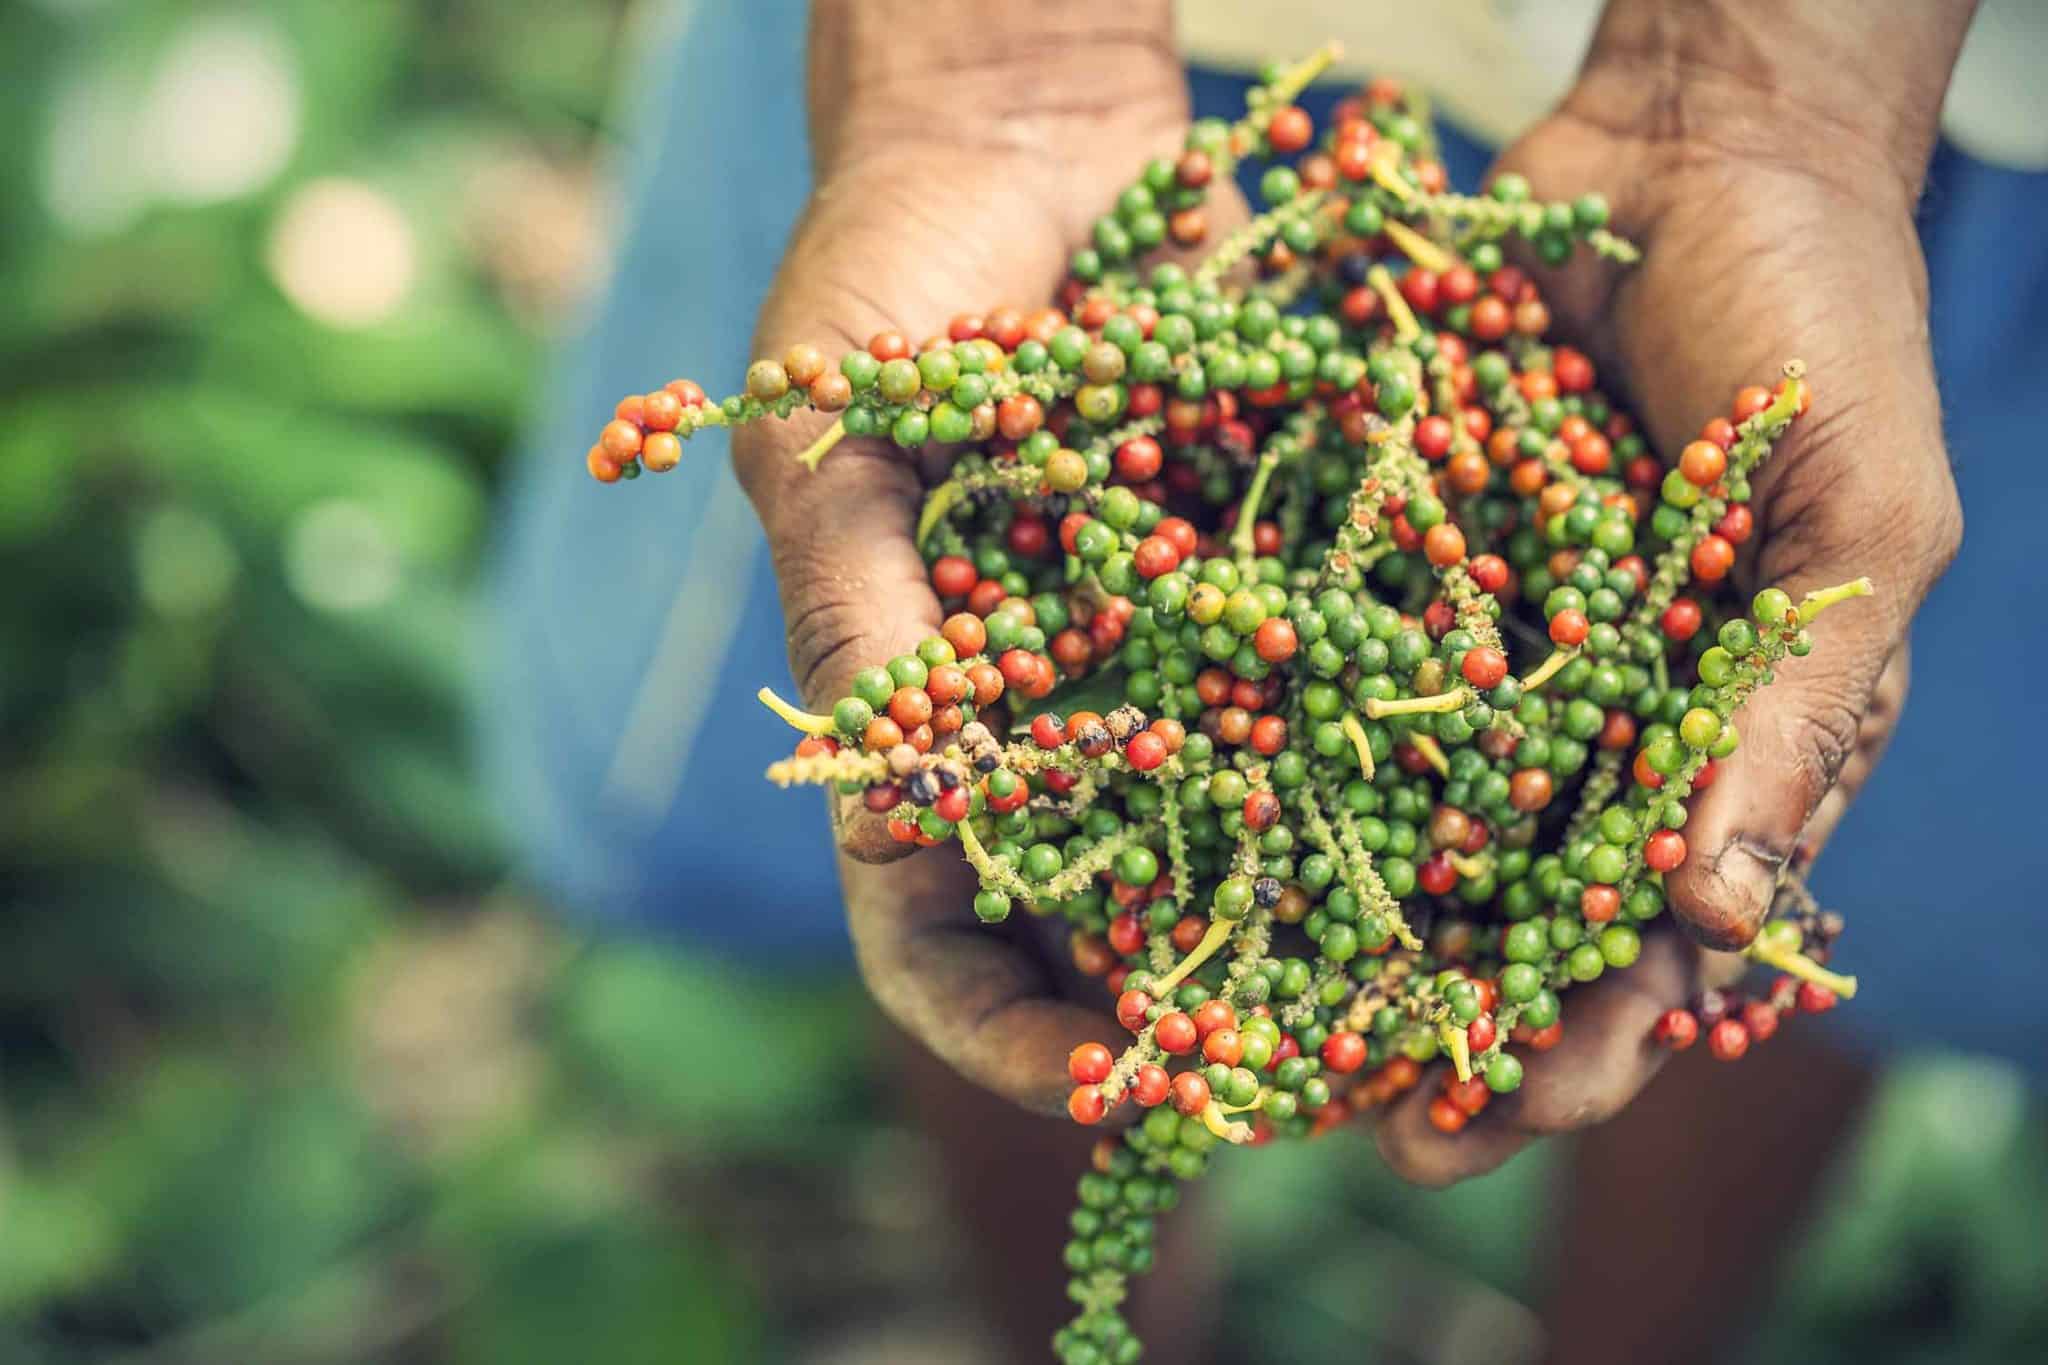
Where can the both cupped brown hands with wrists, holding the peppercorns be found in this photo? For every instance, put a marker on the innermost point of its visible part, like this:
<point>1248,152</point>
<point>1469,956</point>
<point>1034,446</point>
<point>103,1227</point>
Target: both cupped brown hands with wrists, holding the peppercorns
<point>1742,142</point>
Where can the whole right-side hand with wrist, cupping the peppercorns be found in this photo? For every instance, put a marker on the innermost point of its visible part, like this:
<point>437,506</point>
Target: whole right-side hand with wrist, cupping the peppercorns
<point>1770,230</point>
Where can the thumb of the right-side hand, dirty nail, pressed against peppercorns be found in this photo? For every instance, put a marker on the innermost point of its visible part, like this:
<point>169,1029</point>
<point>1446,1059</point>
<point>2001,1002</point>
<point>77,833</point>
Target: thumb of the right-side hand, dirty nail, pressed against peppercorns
<point>1832,511</point>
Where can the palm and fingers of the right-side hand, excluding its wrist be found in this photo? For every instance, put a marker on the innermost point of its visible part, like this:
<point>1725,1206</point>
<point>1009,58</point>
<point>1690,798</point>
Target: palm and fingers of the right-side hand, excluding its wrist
<point>1746,267</point>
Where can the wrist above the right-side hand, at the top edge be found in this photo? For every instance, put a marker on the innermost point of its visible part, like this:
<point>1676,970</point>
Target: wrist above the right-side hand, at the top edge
<point>1805,87</point>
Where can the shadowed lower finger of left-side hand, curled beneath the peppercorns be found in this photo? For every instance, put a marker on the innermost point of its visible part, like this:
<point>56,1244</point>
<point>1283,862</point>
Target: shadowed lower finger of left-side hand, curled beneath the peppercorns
<point>980,998</point>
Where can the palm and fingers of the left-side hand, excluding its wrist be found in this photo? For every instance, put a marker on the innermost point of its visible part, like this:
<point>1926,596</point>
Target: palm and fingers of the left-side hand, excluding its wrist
<point>896,245</point>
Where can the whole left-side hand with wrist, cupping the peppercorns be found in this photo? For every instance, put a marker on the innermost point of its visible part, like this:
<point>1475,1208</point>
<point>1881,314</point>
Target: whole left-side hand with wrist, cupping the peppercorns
<point>951,175</point>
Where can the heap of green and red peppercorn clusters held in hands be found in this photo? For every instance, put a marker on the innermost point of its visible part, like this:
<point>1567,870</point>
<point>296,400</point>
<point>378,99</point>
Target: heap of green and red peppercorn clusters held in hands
<point>1324,650</point>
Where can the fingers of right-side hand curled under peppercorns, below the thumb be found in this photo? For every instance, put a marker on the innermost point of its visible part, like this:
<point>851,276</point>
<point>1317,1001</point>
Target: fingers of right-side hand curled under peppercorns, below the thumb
<point>1605,1059</point>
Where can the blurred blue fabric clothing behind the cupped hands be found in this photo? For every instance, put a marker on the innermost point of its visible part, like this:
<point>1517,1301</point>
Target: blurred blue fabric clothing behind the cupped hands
<point>642,801</point>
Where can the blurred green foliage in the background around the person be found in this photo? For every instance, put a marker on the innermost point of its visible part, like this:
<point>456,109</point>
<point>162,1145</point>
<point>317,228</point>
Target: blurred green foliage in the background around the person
<point>288,1071</point>
